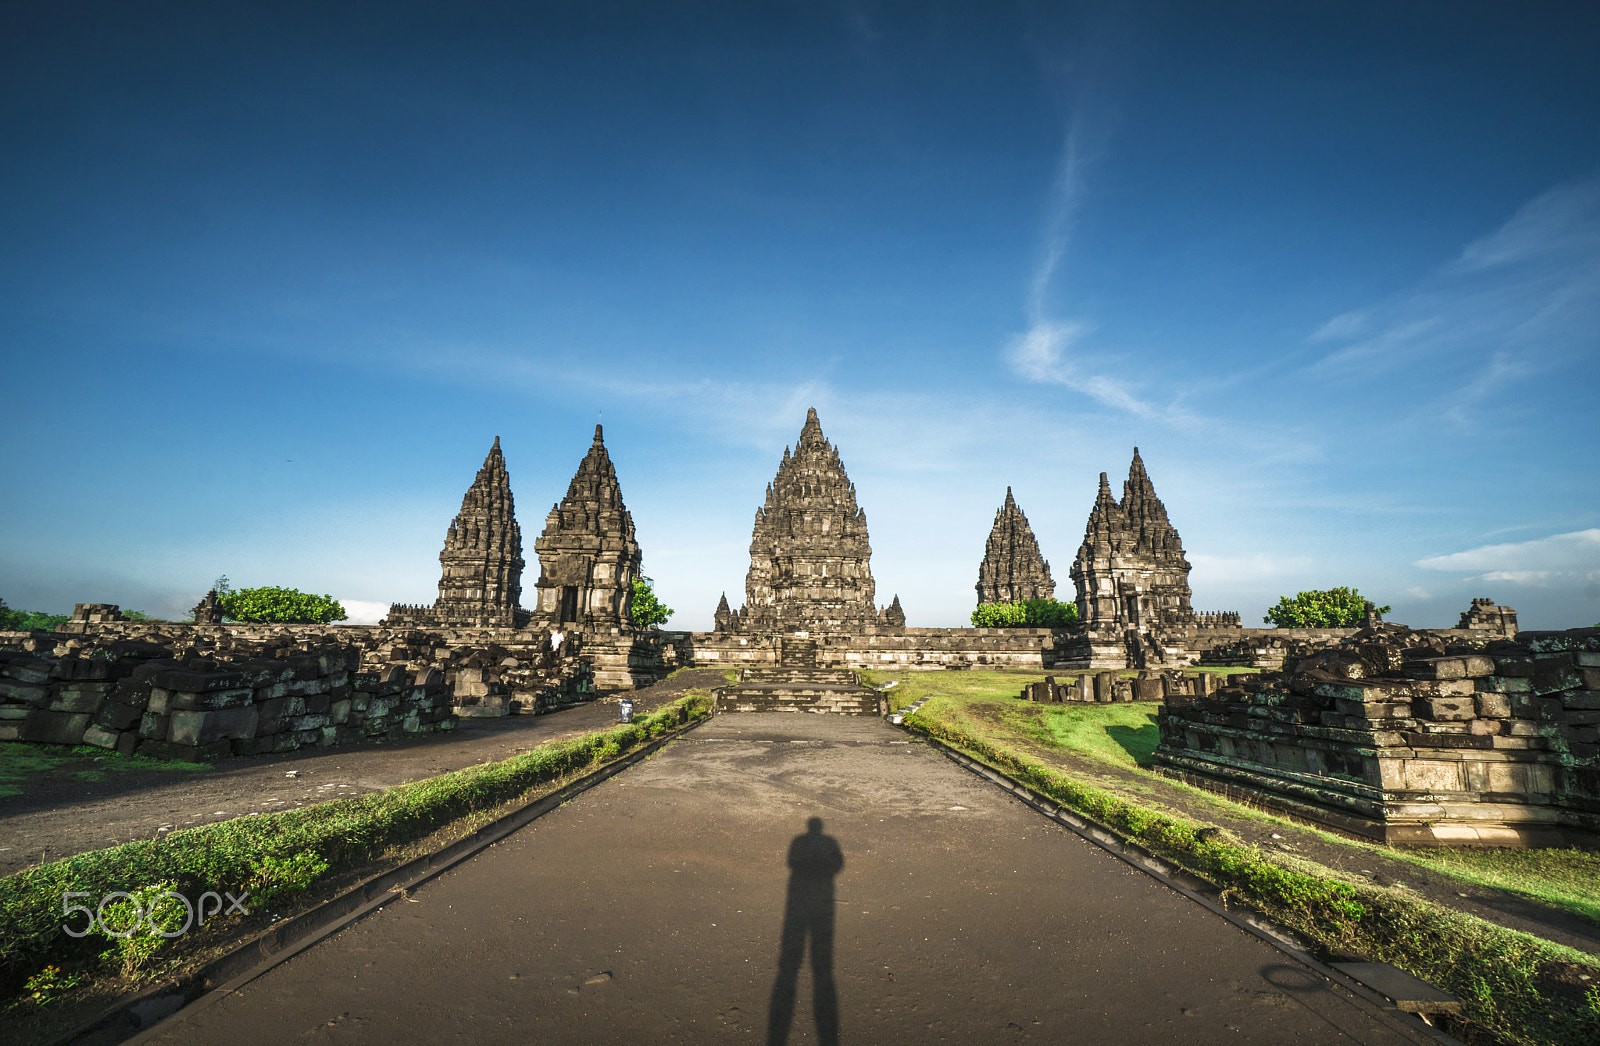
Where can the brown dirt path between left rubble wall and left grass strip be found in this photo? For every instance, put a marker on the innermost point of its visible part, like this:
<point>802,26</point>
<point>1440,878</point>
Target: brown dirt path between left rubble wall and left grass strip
<point>60,813</point>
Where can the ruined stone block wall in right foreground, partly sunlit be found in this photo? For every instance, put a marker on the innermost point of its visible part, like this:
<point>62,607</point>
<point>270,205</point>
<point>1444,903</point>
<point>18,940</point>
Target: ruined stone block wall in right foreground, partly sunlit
<point>1414,738</point>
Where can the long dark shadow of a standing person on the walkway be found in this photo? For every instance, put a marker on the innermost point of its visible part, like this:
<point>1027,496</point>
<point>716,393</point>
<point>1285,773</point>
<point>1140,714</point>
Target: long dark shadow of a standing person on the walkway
<point>814,863</point>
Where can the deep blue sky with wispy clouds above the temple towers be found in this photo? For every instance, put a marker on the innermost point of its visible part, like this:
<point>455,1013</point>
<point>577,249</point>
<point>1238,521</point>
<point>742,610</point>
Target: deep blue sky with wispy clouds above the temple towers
<point>273,277</point>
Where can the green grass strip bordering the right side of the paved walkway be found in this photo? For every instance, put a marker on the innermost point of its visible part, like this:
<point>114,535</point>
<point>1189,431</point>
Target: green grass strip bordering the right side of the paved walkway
<point>1514,988</point>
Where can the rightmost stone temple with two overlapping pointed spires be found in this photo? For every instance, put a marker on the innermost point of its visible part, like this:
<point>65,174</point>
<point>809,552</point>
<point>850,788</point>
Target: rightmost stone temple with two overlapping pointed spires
<point>1132,577</point>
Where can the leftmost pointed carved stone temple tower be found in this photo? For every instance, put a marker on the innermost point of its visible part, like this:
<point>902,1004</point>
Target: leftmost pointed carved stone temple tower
<point>482,564</point>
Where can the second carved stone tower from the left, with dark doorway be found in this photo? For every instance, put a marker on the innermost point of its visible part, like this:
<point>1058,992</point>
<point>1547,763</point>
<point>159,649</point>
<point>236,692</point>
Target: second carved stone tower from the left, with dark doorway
<point>588,553</point>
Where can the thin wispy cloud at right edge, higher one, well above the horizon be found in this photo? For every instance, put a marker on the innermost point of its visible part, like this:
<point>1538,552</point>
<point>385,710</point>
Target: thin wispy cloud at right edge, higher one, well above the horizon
<point>1514,303</point>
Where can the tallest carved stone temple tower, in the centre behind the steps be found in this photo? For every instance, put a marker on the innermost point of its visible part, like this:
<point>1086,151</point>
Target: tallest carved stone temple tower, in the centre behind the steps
<point>810,561</point>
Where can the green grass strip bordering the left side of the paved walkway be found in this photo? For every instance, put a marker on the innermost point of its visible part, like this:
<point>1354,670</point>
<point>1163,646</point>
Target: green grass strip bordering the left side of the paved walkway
<point>241,855</point>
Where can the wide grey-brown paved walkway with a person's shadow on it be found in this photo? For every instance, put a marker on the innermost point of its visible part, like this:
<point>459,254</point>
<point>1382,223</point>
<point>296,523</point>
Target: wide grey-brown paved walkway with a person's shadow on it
<point>673,904</point>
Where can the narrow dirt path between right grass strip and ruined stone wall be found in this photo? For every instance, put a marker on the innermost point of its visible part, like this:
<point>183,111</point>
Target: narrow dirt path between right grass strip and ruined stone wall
<point>1353,860</point>
